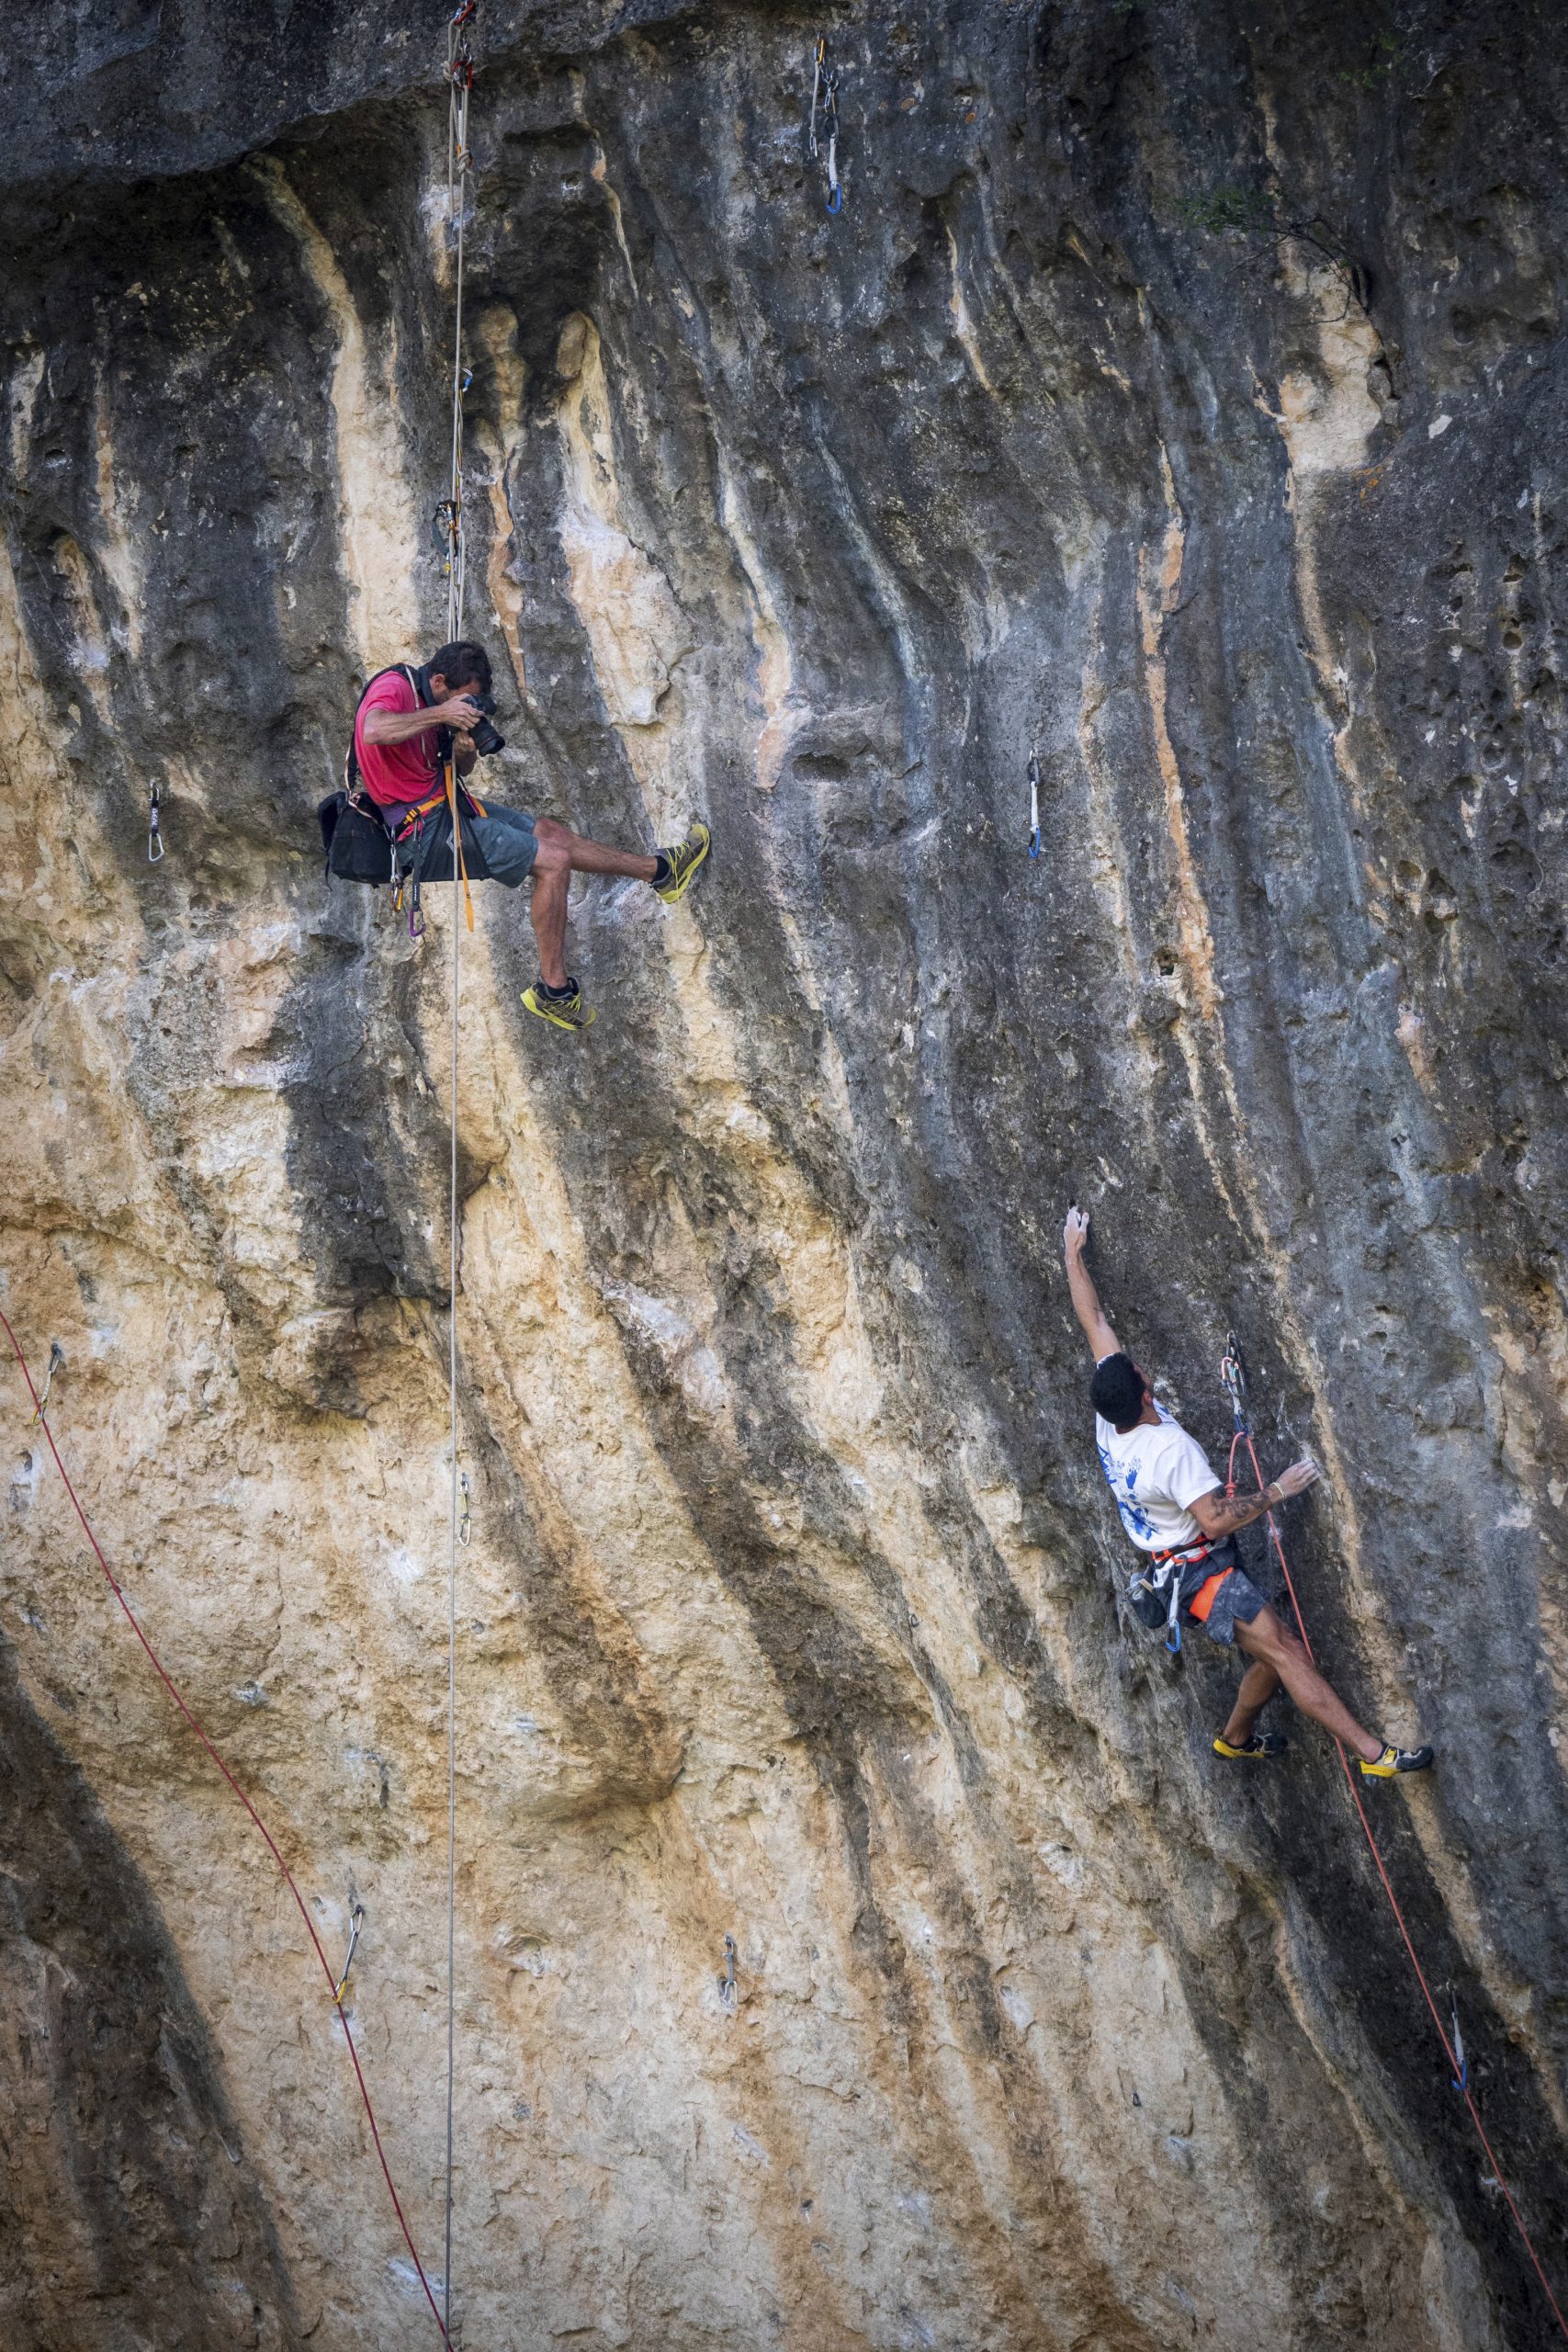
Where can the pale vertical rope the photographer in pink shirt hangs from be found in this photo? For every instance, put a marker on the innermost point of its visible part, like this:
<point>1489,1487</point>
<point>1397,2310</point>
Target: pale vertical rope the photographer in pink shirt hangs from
<point>460,83</point>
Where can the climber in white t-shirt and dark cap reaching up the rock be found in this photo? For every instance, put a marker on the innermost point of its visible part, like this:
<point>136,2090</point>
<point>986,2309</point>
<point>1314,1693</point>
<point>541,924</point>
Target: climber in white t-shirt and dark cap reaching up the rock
<point>1172,1509</point>
